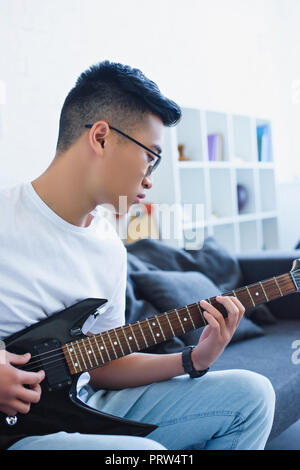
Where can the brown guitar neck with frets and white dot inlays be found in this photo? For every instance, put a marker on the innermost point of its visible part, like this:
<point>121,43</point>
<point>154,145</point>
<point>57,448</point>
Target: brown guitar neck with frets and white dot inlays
<point>94,351</point>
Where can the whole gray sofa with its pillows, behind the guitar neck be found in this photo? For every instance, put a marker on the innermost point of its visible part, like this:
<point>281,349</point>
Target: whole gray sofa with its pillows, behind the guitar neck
<point>161,278</point>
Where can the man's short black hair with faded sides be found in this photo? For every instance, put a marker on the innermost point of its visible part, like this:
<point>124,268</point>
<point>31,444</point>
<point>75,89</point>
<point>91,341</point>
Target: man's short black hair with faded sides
<point>114,92</point>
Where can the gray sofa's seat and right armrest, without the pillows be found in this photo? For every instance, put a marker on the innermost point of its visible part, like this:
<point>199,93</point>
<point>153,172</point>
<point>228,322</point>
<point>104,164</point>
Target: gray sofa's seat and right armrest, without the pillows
<point>271,354</point>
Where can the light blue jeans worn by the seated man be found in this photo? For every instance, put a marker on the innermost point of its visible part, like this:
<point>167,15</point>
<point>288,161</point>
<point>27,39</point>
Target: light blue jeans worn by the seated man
<point>222,410</point>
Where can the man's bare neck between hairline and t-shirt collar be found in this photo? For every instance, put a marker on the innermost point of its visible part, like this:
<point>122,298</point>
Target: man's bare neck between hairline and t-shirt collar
<point>61,187</point>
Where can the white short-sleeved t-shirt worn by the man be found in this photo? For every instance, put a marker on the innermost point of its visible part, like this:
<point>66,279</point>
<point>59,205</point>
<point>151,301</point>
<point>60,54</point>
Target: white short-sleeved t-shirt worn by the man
<point>48,264</point>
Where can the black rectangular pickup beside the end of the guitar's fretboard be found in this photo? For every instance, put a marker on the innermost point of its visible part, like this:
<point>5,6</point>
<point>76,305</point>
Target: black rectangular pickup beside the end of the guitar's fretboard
<point>53,363</point>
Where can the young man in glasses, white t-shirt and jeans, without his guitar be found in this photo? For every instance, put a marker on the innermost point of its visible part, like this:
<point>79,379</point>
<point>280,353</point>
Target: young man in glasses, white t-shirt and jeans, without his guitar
<point>58,248</point>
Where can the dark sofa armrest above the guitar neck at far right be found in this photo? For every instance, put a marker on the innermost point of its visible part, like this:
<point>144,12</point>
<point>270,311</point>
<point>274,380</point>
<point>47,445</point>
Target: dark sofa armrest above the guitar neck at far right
<point>262,265</point>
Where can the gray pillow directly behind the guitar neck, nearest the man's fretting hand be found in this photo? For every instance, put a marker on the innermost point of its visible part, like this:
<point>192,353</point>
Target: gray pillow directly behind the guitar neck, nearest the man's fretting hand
<point>167,290</point>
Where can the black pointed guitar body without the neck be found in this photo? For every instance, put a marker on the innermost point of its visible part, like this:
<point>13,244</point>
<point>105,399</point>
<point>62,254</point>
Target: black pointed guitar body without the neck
<point>59,409</point>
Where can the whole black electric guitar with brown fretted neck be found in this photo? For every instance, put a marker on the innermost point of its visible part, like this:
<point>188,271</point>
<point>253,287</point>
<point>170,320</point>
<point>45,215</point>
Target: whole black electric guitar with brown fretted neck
<point>58,346</point>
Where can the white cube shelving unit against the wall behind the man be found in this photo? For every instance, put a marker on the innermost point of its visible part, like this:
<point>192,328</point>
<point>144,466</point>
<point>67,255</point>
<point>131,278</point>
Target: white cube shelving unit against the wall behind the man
<point>213,184</point>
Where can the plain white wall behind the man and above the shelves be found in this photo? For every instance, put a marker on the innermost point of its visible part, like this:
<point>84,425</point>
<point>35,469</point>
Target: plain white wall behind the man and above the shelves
<point>239,56</point>
